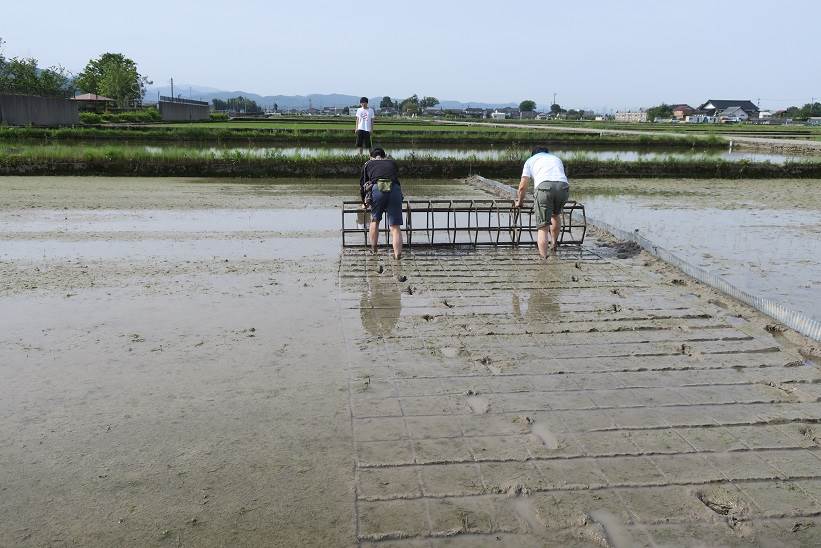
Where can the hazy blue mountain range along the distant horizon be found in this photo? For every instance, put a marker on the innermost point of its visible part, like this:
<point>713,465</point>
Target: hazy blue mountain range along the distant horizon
<point>285,102</point>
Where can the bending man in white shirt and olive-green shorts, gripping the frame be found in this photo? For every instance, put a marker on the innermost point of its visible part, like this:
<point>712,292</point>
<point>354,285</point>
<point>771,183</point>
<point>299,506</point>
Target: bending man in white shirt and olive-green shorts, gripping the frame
<point>550,192</point>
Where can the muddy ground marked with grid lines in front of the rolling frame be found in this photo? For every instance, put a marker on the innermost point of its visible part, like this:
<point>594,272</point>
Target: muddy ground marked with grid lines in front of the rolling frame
<point>499,397</point>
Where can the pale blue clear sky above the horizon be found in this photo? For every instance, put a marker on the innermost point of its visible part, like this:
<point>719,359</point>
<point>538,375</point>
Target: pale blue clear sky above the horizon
<point>593,54</point>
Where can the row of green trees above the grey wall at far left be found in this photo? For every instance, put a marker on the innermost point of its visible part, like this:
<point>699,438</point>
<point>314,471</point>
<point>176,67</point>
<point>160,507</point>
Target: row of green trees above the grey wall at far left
<point>111,75</point>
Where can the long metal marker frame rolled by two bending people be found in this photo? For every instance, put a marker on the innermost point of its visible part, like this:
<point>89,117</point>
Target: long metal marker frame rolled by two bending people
<point>464,222</point>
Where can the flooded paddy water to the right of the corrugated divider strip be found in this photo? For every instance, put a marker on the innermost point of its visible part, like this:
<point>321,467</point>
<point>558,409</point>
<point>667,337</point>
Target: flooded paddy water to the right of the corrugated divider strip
<point>775,253</point>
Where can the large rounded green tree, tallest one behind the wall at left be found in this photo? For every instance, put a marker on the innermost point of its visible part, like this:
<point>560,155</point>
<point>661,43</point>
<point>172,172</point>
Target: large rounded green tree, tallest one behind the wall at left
<point>113,75</point>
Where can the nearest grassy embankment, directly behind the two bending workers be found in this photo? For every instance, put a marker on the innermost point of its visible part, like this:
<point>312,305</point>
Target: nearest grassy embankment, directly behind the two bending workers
<point>177,161</point>
